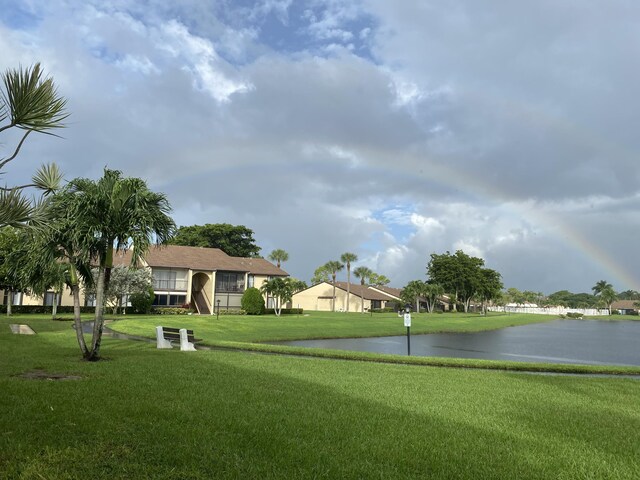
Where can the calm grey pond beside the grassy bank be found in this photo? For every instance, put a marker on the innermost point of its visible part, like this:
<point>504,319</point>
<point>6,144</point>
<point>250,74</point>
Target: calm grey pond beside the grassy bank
<point>588,342</point>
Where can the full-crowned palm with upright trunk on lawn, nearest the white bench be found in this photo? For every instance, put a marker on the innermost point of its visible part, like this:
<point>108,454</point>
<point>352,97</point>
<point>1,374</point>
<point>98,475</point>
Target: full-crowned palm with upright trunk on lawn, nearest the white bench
<point>115,214</point>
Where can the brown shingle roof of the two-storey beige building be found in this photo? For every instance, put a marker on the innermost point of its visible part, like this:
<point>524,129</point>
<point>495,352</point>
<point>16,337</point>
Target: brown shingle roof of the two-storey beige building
<point>201,258</point>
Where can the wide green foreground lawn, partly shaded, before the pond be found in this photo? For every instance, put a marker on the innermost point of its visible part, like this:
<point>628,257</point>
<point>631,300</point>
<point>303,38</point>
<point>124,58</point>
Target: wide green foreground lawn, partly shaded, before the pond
<point>147,413</point>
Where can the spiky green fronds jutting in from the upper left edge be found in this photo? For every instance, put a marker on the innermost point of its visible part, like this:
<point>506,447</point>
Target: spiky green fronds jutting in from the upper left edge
<point>28,102</point>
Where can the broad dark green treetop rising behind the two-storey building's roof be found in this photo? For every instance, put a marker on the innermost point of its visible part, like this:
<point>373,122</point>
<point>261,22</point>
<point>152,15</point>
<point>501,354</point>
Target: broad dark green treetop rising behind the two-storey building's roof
<point>234,240</point>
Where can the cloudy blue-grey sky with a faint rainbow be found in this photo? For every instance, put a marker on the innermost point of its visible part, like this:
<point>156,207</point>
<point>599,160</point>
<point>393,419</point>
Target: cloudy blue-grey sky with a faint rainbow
<point>392,130</point>
